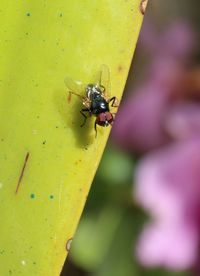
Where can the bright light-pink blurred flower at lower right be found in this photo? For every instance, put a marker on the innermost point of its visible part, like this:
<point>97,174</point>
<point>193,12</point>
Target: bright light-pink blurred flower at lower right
<point>168,186</point>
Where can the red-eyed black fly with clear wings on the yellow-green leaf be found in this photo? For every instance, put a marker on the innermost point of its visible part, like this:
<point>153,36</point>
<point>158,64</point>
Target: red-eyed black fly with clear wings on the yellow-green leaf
<point>96,100</point>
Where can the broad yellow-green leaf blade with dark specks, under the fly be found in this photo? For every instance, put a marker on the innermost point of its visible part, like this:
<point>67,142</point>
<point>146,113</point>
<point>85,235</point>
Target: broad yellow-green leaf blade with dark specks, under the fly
<point>42,195</point>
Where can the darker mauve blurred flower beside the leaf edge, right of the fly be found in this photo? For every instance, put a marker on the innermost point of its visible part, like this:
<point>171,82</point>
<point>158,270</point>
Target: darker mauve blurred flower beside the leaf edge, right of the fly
<point>142,121</point>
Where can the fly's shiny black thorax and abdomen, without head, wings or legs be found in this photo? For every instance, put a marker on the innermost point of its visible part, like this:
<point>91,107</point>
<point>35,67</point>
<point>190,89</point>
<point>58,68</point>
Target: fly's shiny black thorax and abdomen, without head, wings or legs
<point>98,102</point>
